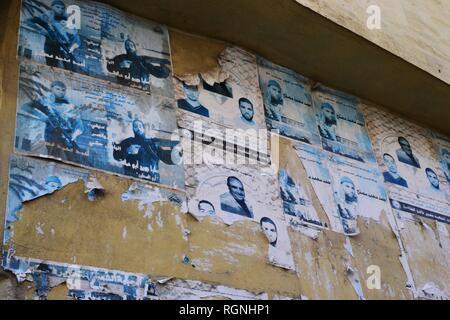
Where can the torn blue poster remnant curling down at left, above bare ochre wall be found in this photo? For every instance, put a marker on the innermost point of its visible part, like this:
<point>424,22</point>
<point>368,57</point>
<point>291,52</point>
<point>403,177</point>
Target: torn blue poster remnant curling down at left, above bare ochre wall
<point>31,178</point>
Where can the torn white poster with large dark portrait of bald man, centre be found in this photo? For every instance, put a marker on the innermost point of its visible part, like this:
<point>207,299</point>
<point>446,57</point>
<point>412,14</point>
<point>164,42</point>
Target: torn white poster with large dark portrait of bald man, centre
<point>228,187</point>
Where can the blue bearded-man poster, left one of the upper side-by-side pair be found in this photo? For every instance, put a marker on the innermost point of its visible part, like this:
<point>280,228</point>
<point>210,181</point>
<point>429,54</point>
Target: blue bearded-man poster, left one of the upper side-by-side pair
<point>288,104</point>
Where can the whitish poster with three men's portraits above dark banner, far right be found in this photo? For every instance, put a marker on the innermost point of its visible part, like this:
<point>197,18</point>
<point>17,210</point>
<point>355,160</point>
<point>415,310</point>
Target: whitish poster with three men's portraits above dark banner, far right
<point>410,165</point>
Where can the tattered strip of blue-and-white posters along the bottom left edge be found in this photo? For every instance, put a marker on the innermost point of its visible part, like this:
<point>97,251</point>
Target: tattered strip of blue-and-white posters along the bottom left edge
<point>83,282</point>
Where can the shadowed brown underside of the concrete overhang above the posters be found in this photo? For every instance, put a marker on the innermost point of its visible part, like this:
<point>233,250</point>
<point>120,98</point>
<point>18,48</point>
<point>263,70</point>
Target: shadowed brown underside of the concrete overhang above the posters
<point>303,40</point>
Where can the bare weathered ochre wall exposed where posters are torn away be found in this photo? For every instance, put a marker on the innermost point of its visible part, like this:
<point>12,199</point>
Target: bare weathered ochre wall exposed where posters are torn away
<point>92,233</point>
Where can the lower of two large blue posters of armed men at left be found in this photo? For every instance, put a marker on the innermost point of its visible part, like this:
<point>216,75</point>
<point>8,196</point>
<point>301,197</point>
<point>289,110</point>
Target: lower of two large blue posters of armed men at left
<point>80,120</point>
